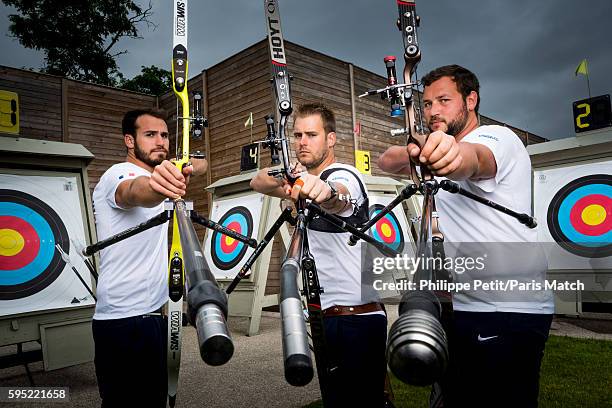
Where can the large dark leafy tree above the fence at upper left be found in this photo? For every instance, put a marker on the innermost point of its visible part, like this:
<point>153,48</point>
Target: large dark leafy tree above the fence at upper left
<point>78,37</point>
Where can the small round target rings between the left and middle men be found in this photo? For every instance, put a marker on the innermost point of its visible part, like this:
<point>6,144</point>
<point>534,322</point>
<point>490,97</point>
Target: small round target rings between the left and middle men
<point>226,252</point>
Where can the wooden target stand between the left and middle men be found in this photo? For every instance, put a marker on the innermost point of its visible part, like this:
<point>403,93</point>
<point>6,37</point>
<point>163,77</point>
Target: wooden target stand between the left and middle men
<point>237,207</point>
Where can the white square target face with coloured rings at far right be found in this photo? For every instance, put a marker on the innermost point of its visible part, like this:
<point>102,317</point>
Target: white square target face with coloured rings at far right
<point>576,204</point>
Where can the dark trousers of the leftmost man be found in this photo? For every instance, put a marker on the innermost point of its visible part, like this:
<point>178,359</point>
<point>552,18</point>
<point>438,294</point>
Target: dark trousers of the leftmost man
<point>130,359</point>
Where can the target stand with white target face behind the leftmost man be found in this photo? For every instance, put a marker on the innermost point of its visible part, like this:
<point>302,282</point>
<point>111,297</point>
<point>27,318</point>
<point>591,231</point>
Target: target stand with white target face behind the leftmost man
<point>45,214</point>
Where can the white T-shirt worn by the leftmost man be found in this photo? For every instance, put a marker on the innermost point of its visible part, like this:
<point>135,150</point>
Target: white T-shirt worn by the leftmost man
<point>133,272</point>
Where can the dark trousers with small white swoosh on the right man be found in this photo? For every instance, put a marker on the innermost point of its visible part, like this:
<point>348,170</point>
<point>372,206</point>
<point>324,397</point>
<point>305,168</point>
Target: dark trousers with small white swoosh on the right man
<point>495,359</point>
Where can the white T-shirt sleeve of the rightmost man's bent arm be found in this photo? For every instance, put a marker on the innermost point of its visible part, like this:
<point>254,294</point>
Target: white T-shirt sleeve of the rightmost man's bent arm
<point>504,145</point>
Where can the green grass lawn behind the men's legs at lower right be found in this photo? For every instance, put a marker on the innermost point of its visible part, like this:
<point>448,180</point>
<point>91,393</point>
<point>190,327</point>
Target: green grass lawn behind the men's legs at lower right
<point>575,373</point>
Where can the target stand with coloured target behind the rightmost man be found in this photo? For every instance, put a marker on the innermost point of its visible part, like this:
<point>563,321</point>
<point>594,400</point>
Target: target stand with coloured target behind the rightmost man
<point>572,187</point>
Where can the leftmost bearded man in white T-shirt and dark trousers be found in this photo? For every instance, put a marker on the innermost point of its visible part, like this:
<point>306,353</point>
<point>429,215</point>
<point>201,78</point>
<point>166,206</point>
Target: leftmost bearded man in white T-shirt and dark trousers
<point>128,328</point>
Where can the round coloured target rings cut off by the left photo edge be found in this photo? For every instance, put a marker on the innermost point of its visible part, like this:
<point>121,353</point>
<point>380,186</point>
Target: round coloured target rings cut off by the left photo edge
<point>47,231</point>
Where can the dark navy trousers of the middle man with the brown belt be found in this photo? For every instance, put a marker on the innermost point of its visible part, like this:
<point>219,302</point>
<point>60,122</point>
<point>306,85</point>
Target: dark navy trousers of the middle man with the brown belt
<point>356,345</point>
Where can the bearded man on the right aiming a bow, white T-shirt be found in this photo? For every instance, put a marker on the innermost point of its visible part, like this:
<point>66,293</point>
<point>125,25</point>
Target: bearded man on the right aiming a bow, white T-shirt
<point>496,346</point>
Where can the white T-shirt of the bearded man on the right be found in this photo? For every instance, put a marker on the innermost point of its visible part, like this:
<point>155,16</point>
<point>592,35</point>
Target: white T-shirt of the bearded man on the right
<point>464,220</point>
